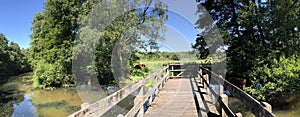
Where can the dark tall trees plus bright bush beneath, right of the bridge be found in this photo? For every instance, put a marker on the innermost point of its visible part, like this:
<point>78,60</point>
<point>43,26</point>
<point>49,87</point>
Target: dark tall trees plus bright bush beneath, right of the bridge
<point>263,43</point>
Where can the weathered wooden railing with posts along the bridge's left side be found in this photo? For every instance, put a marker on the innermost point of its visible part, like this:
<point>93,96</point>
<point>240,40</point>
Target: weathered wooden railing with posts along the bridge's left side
<point>100,107</point>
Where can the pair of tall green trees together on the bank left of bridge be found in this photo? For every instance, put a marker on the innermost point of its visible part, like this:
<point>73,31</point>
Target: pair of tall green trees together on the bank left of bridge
<point>63,31</point>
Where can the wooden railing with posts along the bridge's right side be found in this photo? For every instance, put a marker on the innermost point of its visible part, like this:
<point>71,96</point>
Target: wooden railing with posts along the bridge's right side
<point>259,109</point>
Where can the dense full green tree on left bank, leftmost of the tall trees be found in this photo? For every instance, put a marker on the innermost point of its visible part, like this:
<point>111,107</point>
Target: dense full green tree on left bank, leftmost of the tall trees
<point>54,31</point>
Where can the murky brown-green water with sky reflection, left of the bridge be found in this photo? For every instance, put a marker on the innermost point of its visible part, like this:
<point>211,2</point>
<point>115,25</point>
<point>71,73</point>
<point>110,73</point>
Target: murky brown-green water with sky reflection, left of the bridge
<point>18,98</point>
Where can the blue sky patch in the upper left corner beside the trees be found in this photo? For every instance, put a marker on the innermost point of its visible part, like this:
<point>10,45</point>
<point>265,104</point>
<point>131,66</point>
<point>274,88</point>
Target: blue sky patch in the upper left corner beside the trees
<point>16,18</point>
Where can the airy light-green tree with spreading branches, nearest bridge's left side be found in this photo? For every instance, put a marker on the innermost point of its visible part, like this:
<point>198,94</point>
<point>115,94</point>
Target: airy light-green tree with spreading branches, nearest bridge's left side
<point>122,27</point>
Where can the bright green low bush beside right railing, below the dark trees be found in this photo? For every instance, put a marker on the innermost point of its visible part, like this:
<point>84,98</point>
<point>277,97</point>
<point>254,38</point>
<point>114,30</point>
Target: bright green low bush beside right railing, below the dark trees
<point>278,79</point>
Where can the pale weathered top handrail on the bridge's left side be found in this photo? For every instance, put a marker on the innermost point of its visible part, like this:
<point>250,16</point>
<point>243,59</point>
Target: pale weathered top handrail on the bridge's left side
<point>100,107</point>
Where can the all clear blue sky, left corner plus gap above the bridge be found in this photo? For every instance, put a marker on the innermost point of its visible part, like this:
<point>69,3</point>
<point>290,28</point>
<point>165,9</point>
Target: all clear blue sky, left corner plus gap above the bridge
<point>16,18</point>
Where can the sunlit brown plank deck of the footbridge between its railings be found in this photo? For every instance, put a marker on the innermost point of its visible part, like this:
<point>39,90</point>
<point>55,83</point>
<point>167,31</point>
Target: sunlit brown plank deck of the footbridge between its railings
<point>177,99</point>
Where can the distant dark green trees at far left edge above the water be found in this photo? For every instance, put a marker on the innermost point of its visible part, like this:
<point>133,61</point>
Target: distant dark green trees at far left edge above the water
<point>13,60</point>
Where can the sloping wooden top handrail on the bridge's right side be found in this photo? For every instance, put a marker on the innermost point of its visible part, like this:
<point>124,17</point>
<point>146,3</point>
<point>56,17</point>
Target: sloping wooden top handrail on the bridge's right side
<point>257,108</point>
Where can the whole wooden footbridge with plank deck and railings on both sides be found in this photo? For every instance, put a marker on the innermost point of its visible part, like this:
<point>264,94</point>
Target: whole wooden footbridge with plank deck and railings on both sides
<point>177,90</point>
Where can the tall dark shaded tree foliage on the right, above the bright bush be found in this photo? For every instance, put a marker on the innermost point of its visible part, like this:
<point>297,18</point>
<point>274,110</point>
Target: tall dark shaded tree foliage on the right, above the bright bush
<point>253,30</point>
